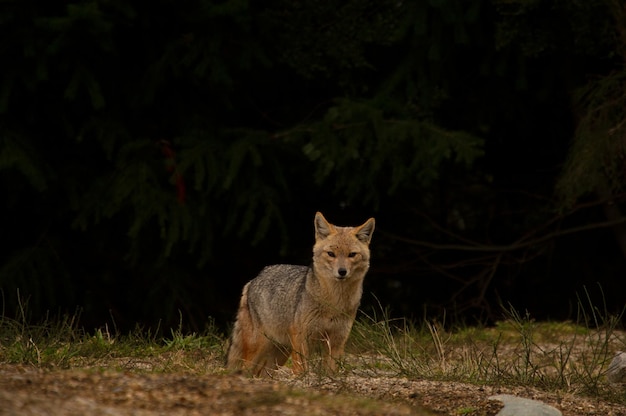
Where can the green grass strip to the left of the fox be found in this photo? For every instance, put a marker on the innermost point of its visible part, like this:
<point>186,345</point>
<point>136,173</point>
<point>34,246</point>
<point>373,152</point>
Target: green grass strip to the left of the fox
<point>60,343</point>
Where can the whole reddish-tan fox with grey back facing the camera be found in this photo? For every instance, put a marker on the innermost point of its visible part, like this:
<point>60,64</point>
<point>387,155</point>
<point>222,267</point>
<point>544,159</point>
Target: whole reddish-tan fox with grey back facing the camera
<point>294,311</point>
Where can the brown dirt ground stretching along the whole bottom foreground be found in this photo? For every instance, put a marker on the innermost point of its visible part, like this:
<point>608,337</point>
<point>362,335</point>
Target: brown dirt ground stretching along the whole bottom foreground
<point>31,391</point>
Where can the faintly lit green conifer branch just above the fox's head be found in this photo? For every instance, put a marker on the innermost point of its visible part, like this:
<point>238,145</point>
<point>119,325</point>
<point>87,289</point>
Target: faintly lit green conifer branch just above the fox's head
<point>355,146</point>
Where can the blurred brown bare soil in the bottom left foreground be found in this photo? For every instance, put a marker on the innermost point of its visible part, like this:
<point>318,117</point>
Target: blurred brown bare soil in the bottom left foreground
<point>27,391</point>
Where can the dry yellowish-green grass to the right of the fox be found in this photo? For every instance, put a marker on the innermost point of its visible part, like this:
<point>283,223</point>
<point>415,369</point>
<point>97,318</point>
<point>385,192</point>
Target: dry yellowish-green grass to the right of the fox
<point>517,351</point>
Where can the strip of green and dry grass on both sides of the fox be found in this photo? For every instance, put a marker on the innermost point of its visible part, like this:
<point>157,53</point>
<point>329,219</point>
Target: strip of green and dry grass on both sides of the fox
<point>517,351</point>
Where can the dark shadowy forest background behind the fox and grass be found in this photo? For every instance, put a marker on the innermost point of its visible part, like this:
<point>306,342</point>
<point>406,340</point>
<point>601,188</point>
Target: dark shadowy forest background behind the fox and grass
<point>155,155</point>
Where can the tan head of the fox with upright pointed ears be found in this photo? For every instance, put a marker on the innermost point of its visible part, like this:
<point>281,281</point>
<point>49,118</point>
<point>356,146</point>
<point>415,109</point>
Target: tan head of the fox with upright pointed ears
<point>342,252</point>
